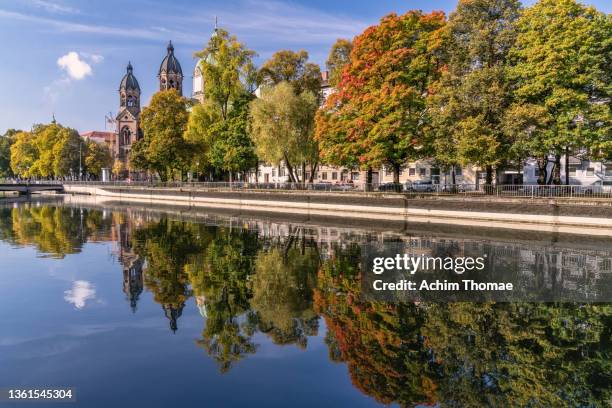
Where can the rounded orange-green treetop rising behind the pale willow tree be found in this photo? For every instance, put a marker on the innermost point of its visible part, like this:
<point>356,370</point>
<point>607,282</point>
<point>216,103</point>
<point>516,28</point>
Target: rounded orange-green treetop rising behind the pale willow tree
<point>294,68</point>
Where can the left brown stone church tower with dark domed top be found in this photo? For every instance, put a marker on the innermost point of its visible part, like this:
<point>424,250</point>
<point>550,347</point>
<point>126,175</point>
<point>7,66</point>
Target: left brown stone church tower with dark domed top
<point>128,127</point>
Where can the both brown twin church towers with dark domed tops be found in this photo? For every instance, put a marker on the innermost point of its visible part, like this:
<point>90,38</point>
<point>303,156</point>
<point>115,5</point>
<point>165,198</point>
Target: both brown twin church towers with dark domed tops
<point>170,76</point>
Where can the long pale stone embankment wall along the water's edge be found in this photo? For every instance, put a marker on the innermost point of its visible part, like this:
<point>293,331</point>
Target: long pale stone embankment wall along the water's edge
<point>587,216</point>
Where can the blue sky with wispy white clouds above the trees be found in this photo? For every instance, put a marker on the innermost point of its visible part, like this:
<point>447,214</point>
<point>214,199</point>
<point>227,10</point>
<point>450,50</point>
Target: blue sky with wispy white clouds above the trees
<point>68,56</point>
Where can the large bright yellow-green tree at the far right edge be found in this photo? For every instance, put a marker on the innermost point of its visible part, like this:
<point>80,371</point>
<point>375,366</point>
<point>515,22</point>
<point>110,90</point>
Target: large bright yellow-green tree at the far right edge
<point>561,63</point>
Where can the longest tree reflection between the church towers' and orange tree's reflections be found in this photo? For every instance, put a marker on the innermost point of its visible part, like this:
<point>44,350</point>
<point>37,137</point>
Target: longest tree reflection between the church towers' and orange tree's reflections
<point>219,279</point>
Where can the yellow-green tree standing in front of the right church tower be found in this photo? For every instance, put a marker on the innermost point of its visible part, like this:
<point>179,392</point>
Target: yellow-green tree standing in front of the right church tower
<point>163,123</point>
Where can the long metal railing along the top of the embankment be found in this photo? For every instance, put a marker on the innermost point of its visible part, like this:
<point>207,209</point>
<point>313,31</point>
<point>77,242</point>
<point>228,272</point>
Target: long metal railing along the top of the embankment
<point>410,189</point>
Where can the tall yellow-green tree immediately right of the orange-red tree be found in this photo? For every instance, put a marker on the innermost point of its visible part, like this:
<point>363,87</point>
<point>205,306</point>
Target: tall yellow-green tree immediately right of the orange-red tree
<point>469,102</point>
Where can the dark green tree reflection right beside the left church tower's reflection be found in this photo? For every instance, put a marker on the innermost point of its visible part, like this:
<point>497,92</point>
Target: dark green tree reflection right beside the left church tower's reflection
<point>166,246</point>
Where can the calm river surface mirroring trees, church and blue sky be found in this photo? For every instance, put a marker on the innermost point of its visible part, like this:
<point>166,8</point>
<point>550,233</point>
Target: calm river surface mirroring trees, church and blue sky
<point>138,307</point>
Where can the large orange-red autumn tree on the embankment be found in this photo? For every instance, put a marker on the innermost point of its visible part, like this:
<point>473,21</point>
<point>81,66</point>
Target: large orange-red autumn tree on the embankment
<point>377,114</point>
